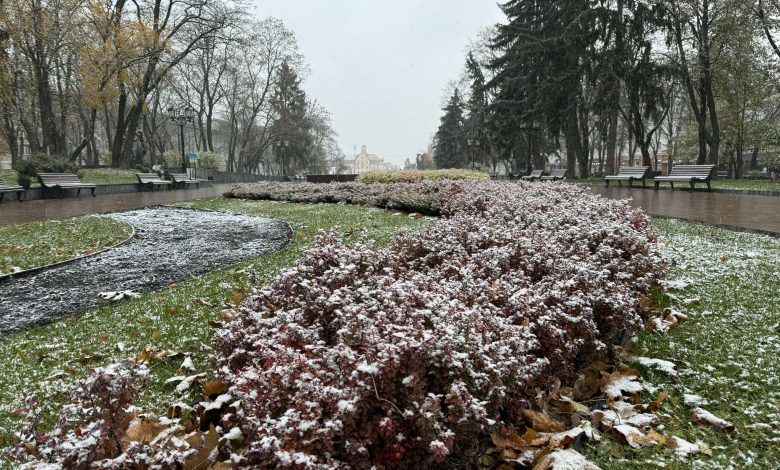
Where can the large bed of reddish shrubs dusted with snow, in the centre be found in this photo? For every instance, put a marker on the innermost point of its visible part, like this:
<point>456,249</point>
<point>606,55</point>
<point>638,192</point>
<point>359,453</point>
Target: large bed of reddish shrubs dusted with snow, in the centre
<point>363,357</point>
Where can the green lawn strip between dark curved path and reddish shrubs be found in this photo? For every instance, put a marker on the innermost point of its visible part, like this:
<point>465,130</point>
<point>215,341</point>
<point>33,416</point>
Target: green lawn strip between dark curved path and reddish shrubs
<point>44,360</point>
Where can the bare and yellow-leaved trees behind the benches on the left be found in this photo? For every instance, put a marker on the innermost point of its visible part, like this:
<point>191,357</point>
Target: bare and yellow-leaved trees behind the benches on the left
<point>92,81</point>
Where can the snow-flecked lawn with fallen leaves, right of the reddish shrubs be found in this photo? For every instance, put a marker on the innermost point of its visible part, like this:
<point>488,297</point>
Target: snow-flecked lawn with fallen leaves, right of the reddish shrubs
<point>727,352</point>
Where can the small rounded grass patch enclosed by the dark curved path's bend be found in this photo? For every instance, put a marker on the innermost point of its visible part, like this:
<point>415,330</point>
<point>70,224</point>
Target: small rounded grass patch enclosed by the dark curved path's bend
<point>33,244</point>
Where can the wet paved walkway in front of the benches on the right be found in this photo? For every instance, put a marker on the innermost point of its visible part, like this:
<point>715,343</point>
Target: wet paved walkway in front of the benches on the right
<point>739,211</point>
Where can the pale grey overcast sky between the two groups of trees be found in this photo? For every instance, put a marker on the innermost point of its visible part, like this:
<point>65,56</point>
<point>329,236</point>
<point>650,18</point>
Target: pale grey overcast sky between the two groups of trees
<point>381,67</point>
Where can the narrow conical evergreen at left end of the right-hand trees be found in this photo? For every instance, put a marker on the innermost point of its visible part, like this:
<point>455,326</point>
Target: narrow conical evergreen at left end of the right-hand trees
<point>449,151</point>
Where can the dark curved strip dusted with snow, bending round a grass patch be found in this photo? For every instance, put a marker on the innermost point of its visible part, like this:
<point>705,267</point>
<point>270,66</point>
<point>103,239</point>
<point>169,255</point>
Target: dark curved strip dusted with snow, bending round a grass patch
<point>170,244</point>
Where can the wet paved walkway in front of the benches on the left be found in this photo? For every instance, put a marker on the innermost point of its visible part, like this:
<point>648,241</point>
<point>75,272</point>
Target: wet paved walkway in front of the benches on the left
<point>13,212</point>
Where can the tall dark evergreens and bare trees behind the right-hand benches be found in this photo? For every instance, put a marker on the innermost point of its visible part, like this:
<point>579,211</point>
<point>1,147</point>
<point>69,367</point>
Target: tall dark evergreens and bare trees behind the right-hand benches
<point>587,81</point>
